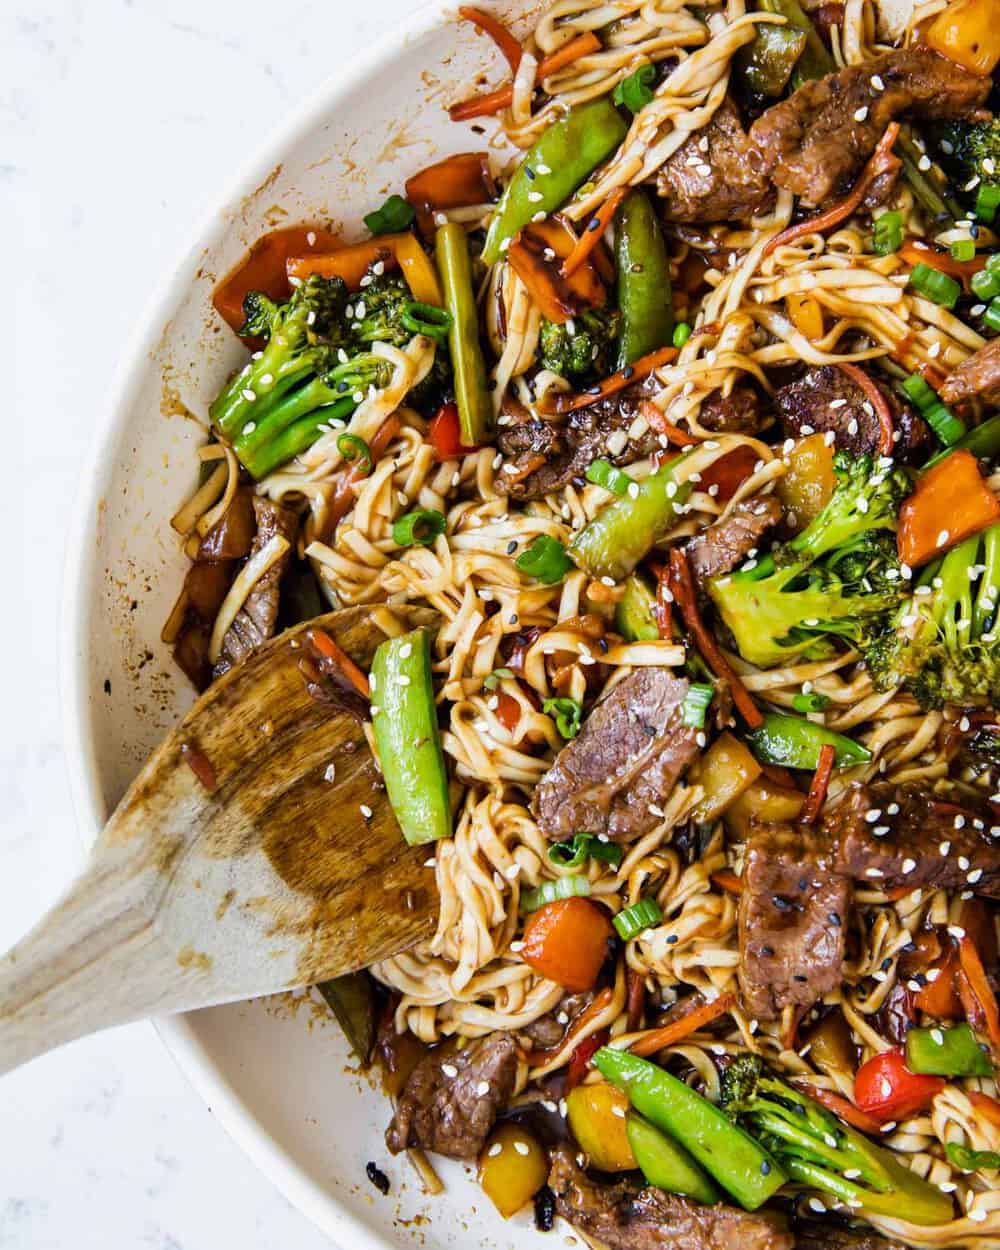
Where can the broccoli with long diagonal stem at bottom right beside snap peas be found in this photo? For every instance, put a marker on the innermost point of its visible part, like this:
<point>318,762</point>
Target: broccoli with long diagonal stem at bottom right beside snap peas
<point>819,1151</point>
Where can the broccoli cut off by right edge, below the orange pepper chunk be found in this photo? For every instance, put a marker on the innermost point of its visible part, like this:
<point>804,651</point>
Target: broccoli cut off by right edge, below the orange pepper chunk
<point>942,644</point>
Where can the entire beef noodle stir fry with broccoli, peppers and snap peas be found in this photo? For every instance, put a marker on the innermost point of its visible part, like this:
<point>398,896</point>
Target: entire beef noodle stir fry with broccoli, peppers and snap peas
<point>681,409</point>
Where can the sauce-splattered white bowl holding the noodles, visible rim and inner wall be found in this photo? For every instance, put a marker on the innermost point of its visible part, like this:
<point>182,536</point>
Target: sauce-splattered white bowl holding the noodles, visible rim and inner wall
<point>277,1078</point>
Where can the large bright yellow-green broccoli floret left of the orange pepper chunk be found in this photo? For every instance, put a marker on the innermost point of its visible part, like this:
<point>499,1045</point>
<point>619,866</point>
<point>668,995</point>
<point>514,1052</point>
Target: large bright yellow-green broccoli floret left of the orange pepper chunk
<point>838,577</point>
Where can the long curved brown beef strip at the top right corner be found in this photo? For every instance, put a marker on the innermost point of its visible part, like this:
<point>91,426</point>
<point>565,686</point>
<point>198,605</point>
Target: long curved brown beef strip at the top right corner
<point>816,146</point>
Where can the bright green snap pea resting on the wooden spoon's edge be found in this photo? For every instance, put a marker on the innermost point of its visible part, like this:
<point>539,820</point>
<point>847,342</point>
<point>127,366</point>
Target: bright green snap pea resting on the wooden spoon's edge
<point>404,719</point>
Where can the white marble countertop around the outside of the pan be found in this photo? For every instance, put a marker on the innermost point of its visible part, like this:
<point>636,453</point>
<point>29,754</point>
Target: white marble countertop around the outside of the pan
<point>119,121</point>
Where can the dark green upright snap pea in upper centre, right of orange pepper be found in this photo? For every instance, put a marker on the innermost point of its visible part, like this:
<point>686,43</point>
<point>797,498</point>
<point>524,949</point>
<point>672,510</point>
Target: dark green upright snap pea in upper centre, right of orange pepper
<point>643,267</point>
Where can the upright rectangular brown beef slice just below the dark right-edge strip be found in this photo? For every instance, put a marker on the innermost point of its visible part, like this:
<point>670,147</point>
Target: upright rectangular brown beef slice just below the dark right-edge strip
<point>792,921</point>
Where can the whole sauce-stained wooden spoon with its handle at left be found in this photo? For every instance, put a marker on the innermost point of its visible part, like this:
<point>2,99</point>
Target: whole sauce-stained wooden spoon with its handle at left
<point>286,869</point>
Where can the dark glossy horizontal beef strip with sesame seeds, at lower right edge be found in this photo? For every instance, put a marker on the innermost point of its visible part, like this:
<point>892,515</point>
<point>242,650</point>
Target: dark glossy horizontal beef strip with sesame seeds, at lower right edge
<point>891,837</point>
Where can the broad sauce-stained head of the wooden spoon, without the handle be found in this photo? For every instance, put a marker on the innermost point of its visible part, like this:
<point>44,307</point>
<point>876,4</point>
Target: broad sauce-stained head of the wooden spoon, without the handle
<point>292,867</point>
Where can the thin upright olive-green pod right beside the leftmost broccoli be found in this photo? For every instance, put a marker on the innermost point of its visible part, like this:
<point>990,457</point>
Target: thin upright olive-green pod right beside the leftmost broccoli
<point>472,397</point>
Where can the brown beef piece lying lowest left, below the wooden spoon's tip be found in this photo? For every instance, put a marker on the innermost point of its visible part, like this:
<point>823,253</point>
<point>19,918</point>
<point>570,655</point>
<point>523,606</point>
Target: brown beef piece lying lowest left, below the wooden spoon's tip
<point>452,1099</point>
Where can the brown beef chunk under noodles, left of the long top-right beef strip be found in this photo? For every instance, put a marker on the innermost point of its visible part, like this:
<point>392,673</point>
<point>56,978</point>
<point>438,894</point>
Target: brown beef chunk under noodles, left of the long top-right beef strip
<point>716,176</point>
